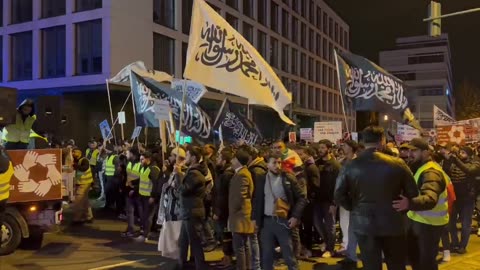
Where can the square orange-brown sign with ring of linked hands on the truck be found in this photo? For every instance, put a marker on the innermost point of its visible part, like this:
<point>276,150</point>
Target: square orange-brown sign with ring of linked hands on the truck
<point>38,175</point>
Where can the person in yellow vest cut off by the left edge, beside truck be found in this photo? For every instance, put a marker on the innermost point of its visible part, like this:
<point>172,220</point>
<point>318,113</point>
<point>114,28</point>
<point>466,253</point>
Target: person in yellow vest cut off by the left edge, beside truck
<point>6,173</point>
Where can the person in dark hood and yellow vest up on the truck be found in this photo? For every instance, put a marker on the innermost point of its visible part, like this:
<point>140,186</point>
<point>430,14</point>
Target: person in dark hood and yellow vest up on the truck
<point>17,135</point>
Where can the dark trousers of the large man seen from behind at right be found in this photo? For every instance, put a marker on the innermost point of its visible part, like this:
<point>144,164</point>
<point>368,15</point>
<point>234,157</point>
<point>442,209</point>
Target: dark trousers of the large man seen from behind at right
<point>371,248</point>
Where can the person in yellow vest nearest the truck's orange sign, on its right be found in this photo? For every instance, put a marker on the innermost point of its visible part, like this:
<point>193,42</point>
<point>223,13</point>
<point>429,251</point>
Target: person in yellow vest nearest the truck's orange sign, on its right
<point>83,181</point>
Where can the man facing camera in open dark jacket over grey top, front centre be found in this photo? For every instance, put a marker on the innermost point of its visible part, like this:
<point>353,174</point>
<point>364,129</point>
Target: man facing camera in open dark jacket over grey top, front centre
<point>277,185</point>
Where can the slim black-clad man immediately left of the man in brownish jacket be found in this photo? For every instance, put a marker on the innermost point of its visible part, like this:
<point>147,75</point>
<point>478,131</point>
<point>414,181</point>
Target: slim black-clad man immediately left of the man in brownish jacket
<point>224,174</point>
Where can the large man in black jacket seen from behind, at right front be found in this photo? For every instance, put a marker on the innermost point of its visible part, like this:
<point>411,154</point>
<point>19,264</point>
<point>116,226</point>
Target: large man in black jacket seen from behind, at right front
<point>366,187</point>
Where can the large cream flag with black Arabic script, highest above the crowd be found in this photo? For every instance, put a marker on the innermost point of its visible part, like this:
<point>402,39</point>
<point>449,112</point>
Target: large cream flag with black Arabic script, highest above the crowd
<point>220,57</point>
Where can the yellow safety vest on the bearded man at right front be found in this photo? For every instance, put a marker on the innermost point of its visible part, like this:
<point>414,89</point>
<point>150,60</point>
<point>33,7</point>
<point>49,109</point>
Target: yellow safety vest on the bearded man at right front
<point>437,216</point>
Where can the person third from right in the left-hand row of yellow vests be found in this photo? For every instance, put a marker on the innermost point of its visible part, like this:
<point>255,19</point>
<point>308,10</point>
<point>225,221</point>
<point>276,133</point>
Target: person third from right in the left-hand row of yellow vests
<point>112,182</point>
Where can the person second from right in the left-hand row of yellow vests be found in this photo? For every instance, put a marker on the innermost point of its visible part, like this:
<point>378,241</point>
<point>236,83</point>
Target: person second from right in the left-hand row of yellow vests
<point>131,190</point>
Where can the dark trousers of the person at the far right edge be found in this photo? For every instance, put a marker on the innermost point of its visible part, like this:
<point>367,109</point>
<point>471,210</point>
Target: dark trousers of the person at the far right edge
<point>464,210</point>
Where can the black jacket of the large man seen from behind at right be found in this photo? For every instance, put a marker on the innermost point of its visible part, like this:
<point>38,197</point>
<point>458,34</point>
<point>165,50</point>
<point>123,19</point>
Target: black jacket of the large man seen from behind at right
<point>367,186</point>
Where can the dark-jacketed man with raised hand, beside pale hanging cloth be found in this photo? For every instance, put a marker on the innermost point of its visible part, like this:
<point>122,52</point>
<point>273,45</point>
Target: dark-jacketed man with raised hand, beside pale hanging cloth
<point>192,212</point>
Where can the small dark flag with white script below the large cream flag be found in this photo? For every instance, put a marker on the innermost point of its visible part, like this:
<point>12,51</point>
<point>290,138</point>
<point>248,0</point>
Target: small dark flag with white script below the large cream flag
<point>235,127</point>
